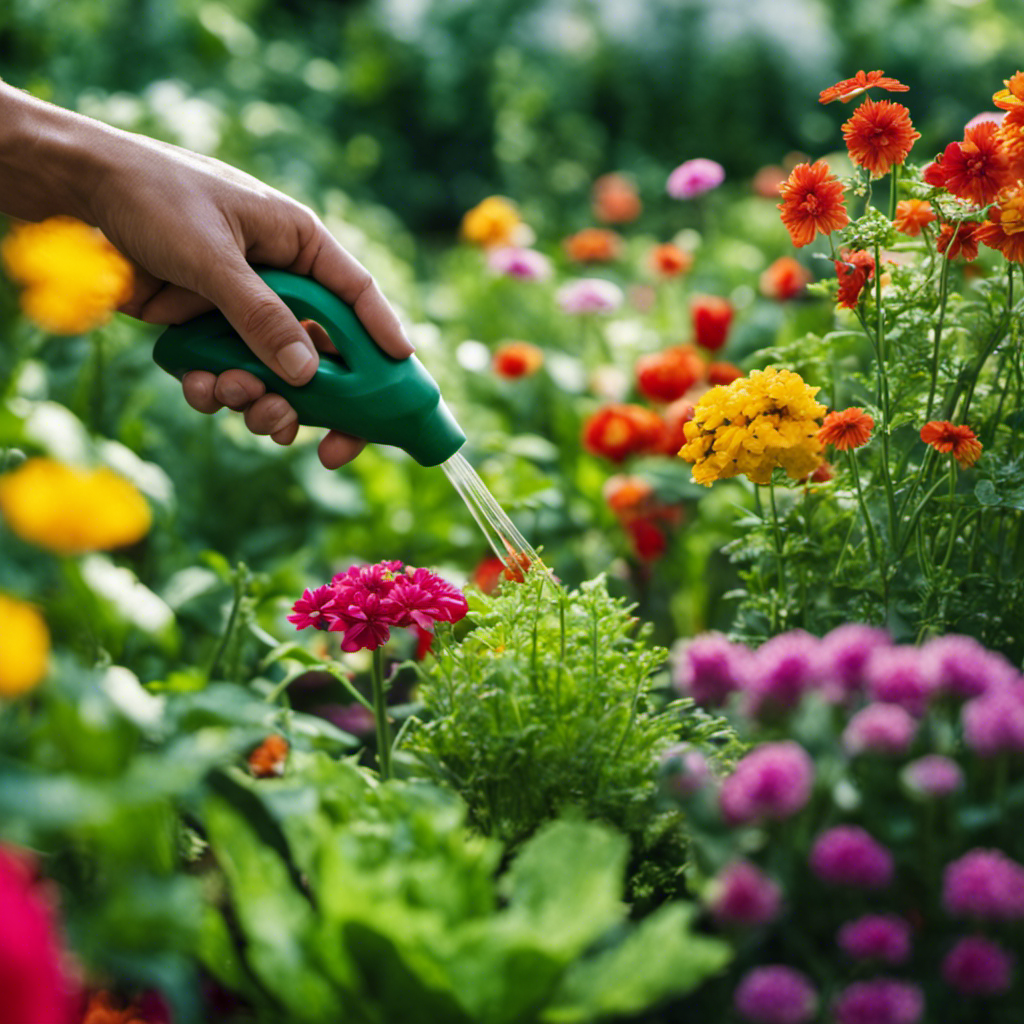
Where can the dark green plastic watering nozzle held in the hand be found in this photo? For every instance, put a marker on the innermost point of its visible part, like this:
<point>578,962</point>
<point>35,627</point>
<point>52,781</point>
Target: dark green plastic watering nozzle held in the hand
<point>363,392</point>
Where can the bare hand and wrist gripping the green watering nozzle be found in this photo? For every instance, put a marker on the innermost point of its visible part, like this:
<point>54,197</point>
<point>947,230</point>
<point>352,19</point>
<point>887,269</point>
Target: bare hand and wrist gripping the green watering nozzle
<point>192,227</point>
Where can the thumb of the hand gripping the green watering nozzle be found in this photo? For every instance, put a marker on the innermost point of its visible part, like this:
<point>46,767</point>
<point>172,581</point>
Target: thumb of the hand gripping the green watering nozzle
<point>265,323</point>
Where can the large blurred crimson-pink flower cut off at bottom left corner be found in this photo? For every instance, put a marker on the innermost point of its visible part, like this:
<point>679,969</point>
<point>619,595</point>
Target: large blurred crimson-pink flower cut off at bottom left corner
<point>34,980</point>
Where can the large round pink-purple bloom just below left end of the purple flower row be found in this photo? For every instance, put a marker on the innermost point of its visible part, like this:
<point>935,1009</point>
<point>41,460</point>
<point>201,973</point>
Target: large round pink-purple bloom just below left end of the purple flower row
<point>773,782</point>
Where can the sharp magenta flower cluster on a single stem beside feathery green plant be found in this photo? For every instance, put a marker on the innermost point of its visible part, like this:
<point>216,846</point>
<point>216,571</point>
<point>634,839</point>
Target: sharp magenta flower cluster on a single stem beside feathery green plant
<point>365,602</point>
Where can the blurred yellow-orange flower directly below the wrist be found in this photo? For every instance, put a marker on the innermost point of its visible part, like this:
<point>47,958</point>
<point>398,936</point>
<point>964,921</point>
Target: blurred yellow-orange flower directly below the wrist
<point>73,279</point>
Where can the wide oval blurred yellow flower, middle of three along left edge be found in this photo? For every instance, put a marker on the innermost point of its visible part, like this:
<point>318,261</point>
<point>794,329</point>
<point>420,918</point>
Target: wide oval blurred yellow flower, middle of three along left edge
<point>71,511</point>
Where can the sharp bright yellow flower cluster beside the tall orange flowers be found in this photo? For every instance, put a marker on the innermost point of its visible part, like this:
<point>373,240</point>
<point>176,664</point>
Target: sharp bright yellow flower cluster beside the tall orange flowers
<point>753,425</point>
